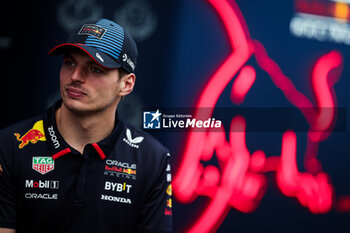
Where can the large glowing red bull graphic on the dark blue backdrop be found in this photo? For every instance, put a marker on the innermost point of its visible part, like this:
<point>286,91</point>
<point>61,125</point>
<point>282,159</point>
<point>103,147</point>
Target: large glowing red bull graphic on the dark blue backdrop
<point>239,181</point>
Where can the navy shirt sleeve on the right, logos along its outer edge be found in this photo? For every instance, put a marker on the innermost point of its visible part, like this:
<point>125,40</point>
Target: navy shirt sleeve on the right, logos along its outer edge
<point>157,212</point>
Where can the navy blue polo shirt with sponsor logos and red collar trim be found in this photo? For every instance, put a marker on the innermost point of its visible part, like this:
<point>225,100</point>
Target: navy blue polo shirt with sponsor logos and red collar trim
<point>120,184</point>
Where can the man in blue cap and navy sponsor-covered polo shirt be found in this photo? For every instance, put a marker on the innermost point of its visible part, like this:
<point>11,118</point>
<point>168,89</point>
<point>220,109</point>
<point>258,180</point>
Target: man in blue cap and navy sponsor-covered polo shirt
<point>78,168</point>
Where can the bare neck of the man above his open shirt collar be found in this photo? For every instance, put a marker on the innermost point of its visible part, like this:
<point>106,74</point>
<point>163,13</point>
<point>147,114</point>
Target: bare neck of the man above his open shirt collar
<point>78,131</point>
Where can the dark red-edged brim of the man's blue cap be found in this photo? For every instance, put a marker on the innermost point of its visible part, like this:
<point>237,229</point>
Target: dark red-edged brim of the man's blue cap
<point>97,55</point>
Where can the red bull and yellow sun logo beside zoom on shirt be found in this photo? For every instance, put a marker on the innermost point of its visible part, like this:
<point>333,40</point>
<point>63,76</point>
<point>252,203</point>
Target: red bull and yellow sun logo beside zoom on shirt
<point>34,135</point>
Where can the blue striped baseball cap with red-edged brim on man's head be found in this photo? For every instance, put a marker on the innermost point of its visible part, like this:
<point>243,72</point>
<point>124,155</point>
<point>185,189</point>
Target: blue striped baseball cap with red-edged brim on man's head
<point>105,41</point>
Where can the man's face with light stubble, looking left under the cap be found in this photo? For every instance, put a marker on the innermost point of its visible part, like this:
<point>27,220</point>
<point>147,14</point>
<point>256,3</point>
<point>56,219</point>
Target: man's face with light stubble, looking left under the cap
<point>85,86</point>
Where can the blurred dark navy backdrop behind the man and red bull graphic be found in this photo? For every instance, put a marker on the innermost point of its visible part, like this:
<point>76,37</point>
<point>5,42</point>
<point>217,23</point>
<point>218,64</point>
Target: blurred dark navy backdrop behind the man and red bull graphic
<point>181,44</point>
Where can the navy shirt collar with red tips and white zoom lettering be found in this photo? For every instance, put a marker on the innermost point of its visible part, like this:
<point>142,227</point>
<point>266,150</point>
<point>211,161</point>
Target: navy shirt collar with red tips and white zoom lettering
<point>59,147</point>
